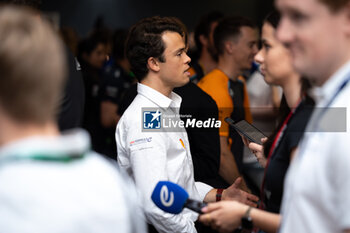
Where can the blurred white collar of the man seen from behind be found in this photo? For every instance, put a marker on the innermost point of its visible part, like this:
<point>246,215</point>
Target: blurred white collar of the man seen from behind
<point>71,143</point>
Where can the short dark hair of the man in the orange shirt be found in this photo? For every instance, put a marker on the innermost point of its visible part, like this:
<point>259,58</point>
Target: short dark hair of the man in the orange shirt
<point>229,27</point>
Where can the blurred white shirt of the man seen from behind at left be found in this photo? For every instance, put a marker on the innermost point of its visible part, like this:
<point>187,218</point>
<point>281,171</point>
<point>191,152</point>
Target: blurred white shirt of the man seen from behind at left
<point>43,191</point>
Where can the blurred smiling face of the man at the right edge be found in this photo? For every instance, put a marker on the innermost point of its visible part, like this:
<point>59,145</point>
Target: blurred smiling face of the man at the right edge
<point>314,36</point>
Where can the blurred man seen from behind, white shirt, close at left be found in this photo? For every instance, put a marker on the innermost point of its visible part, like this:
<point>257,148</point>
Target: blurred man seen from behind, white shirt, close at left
<point>50,182</point>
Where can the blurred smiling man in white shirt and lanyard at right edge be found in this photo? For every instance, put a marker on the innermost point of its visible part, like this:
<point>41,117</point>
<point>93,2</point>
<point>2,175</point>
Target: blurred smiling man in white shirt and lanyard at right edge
<point>317,187</point>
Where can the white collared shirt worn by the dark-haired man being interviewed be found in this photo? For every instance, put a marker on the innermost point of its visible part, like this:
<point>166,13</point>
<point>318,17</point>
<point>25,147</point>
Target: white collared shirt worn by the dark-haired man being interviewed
<point>150,157</point>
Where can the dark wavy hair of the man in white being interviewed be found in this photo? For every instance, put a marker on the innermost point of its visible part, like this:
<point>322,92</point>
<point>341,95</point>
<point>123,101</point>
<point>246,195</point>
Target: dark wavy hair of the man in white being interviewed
<point>145,41</point>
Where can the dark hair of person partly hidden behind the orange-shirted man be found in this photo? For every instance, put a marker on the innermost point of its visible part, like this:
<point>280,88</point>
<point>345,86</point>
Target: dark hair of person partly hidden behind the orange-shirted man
<point>204,25</point>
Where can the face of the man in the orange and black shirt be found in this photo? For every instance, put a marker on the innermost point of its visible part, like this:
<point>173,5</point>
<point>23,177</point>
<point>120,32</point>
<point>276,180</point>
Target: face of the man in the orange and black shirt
<point>246,48</point>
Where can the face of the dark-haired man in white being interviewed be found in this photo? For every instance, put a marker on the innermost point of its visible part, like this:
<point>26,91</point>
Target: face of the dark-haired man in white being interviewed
<point>174,71</point>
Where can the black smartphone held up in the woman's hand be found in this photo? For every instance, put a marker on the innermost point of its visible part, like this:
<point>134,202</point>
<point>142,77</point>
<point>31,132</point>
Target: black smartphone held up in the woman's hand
<point>248,130</point>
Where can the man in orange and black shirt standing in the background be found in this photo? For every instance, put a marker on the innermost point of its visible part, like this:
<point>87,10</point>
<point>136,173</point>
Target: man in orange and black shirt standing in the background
<point>235,39</point>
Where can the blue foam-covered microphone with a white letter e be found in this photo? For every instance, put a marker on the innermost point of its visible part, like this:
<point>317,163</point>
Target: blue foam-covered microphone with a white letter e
<point>172,198</point>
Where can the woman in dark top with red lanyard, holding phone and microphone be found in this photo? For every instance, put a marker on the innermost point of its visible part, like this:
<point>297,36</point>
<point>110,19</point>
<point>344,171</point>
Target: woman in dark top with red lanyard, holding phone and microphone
<point>279,149</point>
